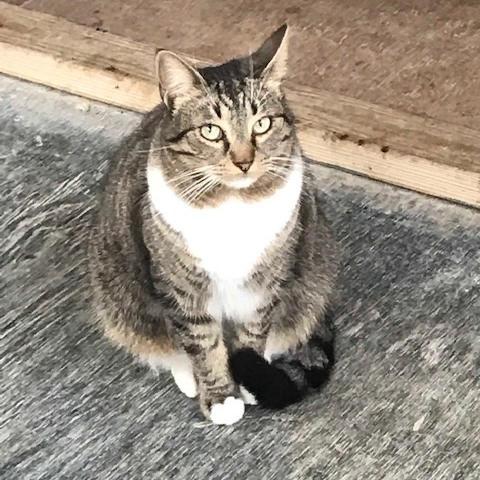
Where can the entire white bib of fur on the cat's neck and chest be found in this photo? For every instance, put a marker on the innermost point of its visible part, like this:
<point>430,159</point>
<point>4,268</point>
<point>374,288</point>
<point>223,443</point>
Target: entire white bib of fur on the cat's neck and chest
<point>228,240</point>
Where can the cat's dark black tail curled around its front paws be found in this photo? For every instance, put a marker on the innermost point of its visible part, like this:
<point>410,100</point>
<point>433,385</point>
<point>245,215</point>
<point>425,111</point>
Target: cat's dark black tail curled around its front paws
<point>287,378</point>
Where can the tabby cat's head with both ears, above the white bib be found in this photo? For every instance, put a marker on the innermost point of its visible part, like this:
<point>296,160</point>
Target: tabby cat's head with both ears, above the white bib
<point>227,128</point>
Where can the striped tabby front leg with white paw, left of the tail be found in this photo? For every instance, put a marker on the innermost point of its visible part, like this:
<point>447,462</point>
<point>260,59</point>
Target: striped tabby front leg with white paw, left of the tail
<point>202,340</point>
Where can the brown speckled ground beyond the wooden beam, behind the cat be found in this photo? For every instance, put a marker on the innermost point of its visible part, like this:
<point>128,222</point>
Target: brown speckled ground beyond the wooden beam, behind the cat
<point>420,56</point>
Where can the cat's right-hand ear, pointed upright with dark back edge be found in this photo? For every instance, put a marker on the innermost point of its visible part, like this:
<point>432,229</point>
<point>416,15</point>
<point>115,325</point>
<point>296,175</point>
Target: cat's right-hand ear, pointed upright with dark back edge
<point>270,60</point>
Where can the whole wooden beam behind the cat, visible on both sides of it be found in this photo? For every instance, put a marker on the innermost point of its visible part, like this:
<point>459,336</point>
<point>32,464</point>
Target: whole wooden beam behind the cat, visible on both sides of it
<point>421,154</point>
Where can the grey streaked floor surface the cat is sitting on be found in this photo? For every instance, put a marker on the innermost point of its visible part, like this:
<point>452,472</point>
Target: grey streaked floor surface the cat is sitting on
<point>404,401</point>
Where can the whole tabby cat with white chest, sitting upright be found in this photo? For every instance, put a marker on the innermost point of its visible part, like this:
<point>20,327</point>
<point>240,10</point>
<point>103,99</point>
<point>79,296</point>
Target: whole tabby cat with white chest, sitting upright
<point>210,256</point>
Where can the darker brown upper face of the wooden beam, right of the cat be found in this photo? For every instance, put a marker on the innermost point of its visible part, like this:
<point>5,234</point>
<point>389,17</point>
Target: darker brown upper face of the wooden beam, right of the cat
<point>364,123</point>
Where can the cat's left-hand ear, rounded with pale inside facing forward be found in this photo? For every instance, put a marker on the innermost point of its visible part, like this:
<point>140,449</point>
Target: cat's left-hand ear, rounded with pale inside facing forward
<point>178,80</point>
